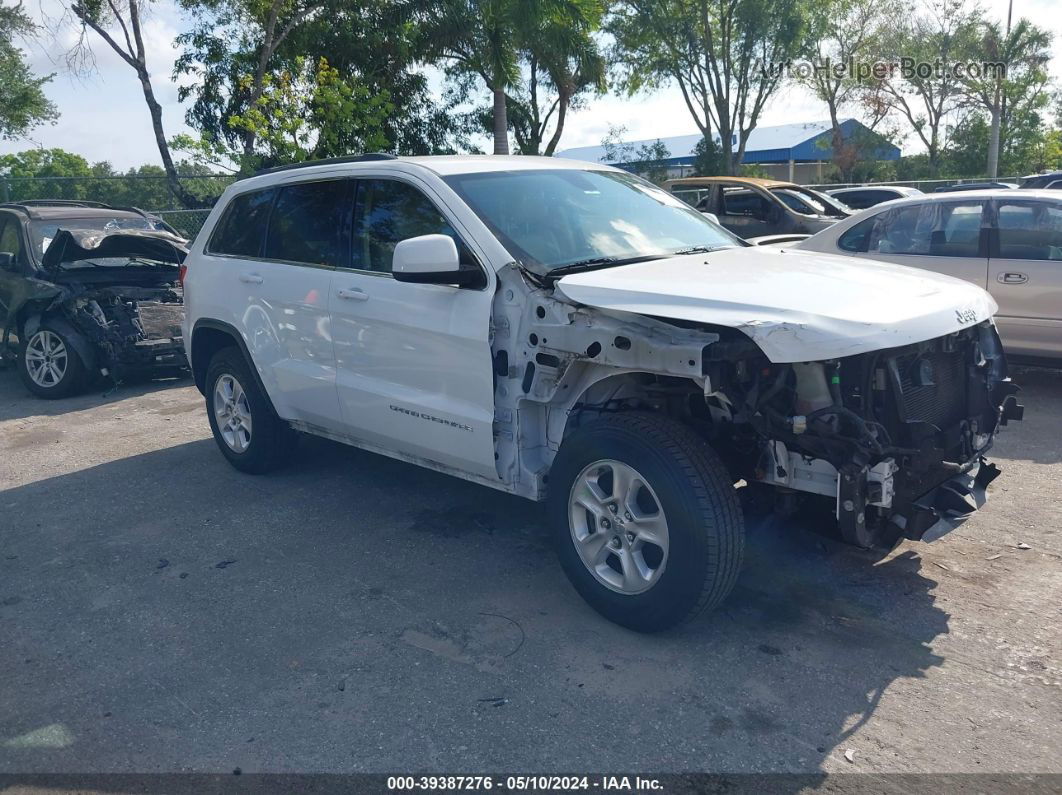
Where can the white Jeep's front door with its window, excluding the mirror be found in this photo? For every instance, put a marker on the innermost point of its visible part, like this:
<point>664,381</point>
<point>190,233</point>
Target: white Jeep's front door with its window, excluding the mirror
<point>414,361</point>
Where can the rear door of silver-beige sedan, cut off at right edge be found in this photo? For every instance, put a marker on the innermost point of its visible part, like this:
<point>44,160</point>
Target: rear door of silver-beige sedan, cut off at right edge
<point>1025,275</point>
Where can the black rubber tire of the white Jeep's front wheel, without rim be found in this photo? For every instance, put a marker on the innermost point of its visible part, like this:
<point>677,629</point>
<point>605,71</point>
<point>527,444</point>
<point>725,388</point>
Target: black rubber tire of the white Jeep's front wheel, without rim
<point>705,524</point>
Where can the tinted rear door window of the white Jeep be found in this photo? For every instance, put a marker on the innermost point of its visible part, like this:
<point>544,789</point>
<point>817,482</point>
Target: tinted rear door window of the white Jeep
<point>310,223</point>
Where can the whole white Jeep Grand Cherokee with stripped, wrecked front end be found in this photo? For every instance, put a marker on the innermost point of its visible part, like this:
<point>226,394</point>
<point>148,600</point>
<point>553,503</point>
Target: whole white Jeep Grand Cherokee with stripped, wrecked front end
<point>569,333</point>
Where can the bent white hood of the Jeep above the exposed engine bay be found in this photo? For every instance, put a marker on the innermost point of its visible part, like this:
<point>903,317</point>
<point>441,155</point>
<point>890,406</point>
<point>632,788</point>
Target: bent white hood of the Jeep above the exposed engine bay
<point>797,306</point>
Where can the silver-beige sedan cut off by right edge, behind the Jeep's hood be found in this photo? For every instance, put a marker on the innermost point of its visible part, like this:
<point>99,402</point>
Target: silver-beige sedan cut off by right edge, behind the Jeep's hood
<point>1008,243</point>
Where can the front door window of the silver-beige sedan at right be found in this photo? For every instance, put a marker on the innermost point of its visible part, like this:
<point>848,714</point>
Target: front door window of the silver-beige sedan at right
<point>934,229</point>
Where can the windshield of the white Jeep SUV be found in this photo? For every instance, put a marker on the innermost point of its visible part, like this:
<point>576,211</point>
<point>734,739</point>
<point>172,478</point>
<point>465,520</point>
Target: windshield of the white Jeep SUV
<point>570,219</point>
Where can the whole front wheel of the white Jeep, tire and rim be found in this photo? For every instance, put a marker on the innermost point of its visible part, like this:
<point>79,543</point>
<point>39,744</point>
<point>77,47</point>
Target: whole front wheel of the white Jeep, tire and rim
<point>647,523</point>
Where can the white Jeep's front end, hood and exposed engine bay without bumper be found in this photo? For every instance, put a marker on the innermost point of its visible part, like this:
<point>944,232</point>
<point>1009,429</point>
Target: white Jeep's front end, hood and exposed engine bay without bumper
<point>880,388</point>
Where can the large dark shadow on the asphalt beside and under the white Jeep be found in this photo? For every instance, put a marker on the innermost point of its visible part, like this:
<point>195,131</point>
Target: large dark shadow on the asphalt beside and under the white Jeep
<point>195,608</point>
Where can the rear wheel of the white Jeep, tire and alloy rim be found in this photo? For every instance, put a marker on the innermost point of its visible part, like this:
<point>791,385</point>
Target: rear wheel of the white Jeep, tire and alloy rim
<point>248,431</point>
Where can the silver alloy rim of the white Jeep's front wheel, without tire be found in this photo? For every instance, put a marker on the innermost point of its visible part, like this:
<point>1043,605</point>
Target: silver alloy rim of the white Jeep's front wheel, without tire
<point>619,527</point>
